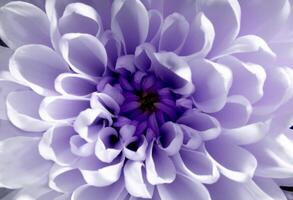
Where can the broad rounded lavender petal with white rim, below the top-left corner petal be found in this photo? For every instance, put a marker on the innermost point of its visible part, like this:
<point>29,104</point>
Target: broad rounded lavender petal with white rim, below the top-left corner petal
<point>37,66</point>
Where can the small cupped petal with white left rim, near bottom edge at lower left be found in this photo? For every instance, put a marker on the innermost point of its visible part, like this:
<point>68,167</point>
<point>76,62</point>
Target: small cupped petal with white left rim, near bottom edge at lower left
<point>65,179</point>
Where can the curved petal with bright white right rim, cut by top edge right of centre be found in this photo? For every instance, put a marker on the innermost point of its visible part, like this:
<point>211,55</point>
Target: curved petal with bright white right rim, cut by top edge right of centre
<point>227,26</point>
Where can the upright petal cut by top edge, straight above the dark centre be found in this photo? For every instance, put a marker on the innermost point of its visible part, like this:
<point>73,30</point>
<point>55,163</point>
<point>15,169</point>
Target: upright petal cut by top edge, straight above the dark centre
<point>130,22</point>
